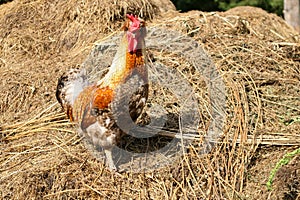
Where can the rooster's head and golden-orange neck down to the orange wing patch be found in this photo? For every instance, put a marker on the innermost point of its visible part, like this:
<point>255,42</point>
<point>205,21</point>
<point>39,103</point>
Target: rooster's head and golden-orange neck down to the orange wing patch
<point>129,56</point>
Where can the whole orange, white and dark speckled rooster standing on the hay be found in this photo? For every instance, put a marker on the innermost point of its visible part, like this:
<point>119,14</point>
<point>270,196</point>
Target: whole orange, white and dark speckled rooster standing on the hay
<point>98,107</point>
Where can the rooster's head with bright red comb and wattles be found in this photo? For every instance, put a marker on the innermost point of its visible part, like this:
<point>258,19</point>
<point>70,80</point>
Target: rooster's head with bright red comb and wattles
<point>136,32</point>
